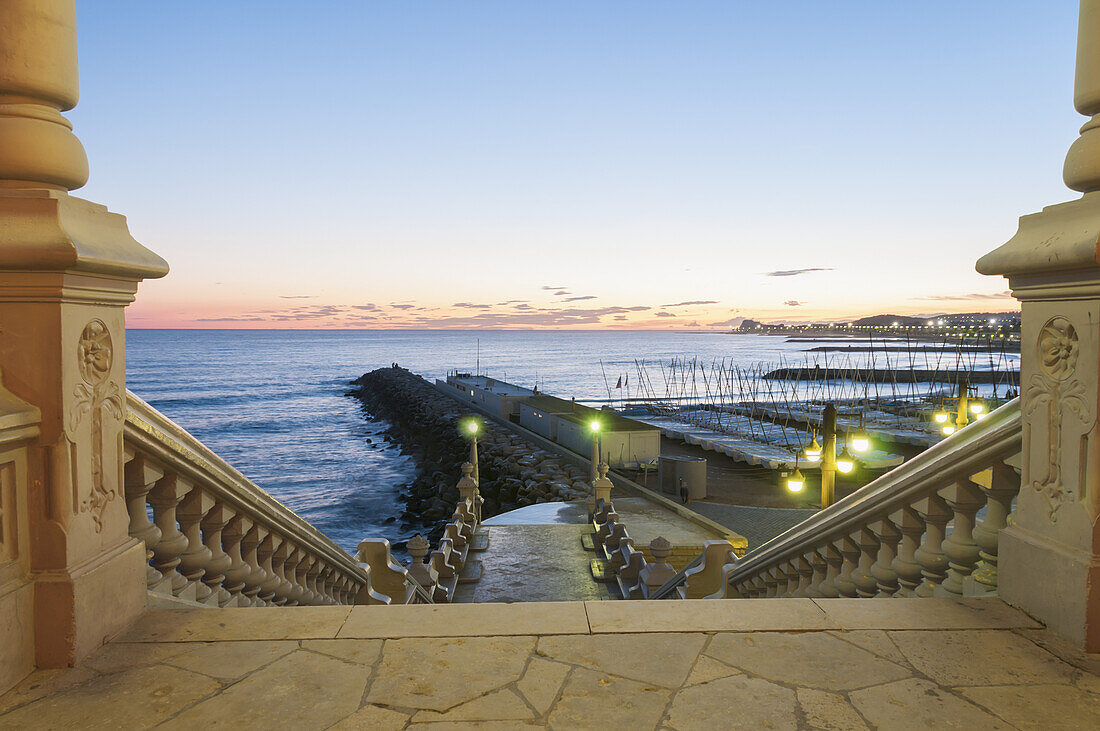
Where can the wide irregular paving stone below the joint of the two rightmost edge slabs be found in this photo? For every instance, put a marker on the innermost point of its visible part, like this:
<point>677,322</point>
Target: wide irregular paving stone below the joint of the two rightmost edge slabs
<point>816,660</point>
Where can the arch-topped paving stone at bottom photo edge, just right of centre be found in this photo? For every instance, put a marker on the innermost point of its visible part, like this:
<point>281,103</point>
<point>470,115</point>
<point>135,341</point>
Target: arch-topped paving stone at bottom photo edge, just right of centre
<point>734,703</point>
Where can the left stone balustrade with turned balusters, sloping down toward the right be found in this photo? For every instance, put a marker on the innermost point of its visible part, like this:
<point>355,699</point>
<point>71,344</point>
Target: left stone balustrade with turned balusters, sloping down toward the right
<point>216,537</point>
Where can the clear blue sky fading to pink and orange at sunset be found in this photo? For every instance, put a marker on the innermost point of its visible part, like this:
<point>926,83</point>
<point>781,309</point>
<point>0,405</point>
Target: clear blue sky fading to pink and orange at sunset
<point>587,165</point>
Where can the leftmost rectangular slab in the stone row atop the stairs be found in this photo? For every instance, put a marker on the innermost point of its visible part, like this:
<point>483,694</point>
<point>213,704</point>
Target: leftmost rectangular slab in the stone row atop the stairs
<point>240,624</point>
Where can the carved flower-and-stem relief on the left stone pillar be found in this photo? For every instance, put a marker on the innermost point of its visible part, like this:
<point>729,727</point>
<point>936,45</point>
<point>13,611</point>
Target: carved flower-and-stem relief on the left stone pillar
<point>96,397</point>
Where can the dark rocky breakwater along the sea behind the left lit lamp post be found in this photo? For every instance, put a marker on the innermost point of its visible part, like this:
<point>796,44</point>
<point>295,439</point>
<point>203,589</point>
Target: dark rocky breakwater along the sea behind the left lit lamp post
<point>426,424</point>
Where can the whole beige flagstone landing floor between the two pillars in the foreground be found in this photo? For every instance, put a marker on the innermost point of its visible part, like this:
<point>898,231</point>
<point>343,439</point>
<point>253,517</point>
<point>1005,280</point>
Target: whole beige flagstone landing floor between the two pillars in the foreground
<point>762,663</point>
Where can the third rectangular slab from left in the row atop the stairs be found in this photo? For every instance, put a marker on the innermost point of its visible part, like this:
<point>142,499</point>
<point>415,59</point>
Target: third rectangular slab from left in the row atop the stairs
<point>708,616</point>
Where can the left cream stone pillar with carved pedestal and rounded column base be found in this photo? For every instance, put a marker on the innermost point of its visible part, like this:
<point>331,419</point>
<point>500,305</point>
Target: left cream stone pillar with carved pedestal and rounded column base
<point>68,270</point>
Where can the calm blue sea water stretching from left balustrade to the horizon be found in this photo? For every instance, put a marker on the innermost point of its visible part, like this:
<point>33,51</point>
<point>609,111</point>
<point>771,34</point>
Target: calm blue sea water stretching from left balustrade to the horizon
<point>273,403</point>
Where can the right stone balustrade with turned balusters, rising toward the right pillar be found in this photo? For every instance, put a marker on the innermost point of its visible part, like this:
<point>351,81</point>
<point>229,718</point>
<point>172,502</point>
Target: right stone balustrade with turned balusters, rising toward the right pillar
<point>890,538</point>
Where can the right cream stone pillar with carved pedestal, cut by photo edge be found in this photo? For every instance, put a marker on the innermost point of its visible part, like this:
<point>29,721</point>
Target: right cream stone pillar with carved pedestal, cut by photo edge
<point>1049,562</point>
